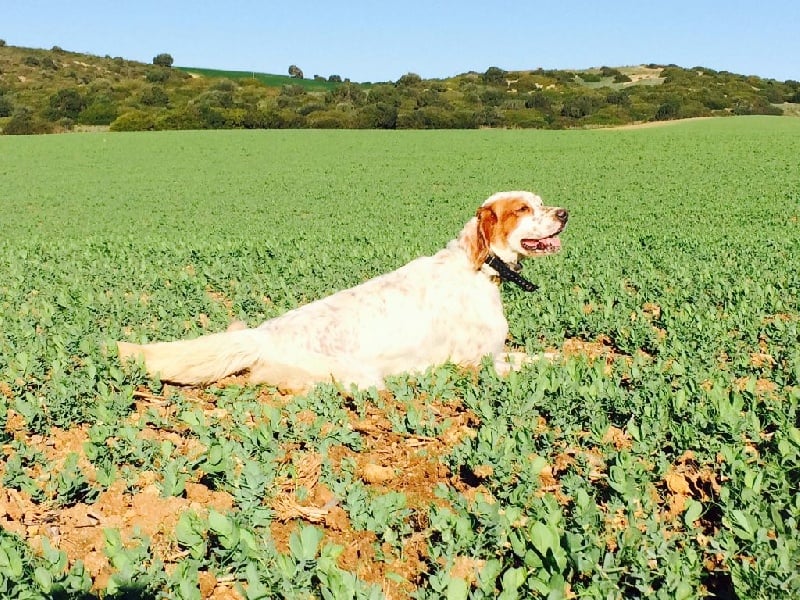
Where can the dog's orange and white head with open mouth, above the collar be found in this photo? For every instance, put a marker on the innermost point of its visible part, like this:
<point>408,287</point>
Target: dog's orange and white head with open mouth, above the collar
<point>513,226</point>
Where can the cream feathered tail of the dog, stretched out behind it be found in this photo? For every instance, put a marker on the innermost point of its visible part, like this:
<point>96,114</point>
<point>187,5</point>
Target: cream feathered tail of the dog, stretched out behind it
<point>201,360</point>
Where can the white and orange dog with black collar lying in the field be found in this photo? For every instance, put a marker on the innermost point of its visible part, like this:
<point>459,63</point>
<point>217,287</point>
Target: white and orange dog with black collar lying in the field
<point>436,309</point>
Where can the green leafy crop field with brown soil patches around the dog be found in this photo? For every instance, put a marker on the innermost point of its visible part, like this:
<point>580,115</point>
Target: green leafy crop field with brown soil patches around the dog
<point>658,456</point>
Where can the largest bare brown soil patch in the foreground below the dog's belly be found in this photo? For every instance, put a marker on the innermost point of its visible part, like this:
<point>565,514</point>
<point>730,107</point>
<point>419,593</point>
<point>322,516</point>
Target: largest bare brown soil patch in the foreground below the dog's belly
<point>389,461</point>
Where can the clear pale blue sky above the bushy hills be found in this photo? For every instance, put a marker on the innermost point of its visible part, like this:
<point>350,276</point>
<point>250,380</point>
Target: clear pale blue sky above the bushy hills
<point>380,41</point>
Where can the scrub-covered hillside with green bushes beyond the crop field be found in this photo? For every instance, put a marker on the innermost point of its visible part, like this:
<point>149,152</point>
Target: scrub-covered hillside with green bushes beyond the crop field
<point>43,91</point>
